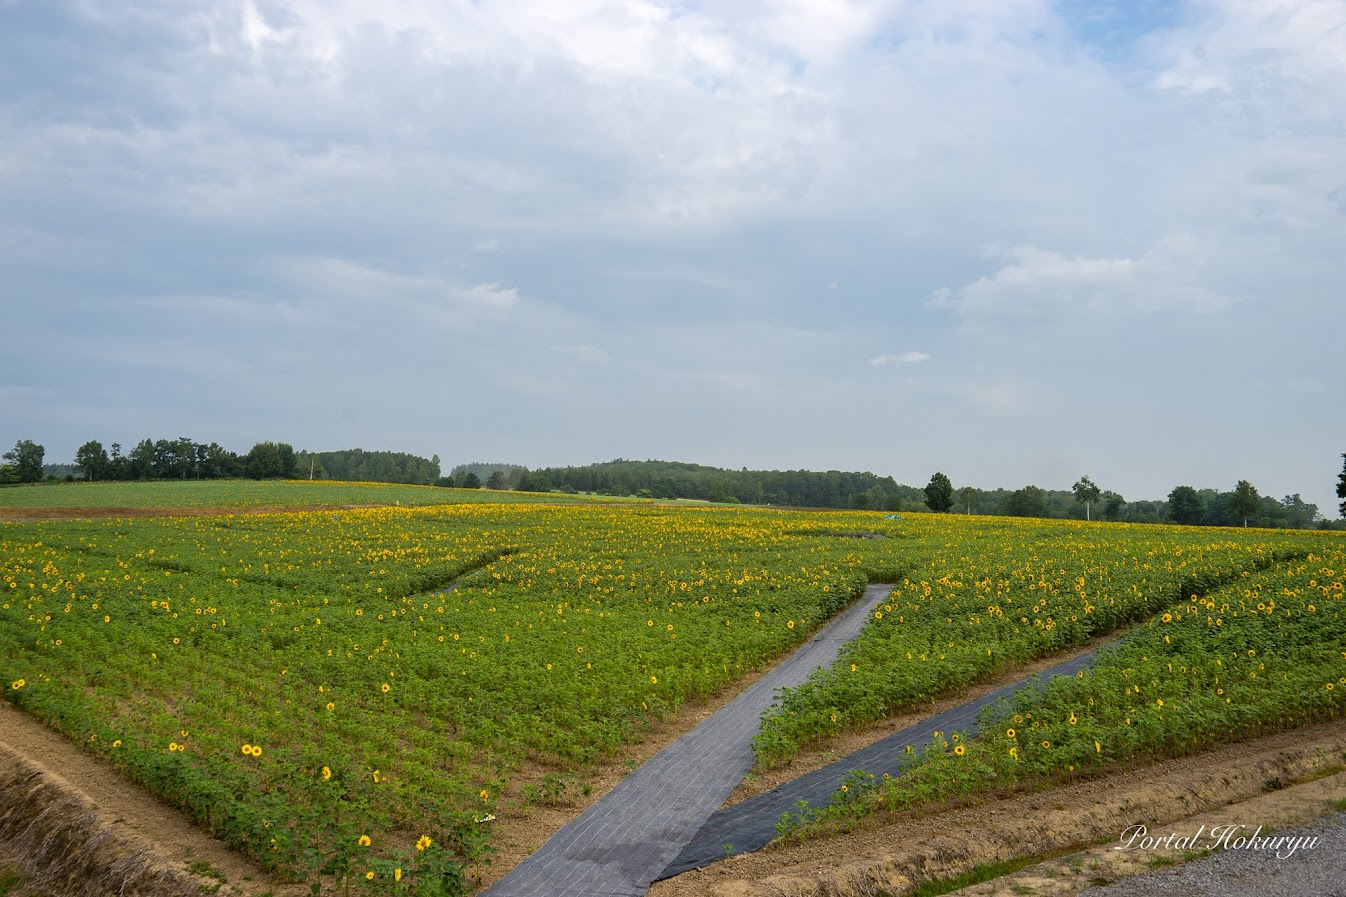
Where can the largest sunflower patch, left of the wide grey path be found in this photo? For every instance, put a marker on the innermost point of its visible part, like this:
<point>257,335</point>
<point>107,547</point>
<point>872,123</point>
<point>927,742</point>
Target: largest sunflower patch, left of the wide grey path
<point>371,700</point>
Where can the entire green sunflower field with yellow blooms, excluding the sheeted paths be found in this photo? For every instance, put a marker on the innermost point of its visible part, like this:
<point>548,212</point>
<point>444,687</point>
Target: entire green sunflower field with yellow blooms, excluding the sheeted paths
<point>361,697</point>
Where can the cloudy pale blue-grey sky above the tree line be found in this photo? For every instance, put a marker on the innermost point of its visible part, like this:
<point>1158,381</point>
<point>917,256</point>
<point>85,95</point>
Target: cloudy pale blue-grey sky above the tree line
<point>1017,242</point>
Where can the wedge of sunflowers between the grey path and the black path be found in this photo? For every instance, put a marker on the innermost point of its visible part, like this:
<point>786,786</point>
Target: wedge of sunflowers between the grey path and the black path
<point>991,595</point>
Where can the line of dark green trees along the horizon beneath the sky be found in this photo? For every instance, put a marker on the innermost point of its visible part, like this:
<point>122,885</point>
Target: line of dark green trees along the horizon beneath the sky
<point>184,459</point>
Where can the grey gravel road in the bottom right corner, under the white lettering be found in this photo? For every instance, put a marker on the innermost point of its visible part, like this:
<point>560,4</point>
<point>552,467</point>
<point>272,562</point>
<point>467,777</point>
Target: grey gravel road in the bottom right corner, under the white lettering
<point>1248,872</point>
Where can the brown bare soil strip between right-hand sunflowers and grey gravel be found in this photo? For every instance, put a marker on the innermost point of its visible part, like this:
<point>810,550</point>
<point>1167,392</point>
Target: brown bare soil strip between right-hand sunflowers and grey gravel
<point>892,856</point>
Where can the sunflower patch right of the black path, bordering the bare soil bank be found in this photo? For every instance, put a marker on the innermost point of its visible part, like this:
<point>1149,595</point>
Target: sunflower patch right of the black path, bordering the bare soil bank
<point>1259,654</point>
